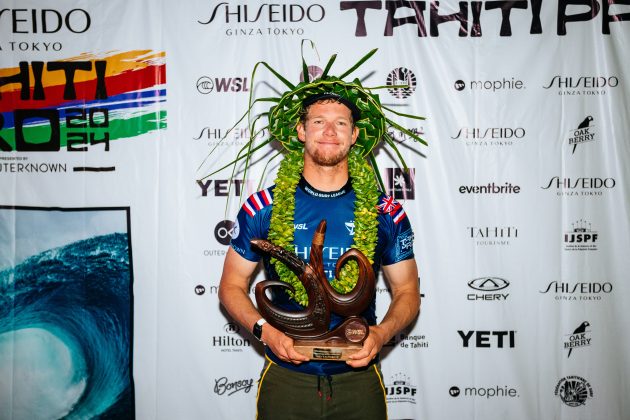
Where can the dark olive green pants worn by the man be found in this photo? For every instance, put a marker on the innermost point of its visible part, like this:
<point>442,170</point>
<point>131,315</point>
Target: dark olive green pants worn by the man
<point>284,395</point>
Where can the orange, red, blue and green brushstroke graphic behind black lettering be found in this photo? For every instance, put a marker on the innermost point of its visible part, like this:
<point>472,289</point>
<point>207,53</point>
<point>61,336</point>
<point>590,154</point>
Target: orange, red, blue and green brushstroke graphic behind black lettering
<point>122,93</point>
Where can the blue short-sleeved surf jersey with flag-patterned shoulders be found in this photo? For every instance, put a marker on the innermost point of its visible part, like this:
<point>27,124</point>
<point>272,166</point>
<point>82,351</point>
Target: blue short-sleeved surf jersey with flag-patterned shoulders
<point>395,243</point>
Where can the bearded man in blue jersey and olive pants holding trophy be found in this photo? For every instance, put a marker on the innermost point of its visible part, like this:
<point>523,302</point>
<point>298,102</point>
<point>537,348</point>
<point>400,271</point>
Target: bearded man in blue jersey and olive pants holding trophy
<point>291,386</point>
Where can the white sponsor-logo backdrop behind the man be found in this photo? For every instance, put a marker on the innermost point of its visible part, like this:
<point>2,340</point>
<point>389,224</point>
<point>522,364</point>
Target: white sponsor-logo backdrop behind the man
<point>111,250</point>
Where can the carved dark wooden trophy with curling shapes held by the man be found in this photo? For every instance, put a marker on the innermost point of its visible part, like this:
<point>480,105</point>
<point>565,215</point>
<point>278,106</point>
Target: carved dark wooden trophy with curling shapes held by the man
<point>309,327</point>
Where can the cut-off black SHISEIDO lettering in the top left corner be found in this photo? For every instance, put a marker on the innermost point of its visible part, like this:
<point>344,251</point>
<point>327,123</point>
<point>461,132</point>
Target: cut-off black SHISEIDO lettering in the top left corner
<point>44,21</point>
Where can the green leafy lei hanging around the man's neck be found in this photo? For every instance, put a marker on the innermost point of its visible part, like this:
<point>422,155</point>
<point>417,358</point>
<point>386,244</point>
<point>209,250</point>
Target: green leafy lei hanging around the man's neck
<point>365,218</point>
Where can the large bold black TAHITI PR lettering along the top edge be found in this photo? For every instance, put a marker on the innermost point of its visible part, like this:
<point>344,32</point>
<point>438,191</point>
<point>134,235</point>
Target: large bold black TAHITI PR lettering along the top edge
<point>469,16</point>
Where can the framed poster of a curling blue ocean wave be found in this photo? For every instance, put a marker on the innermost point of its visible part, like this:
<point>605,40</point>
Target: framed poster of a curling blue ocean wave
<point>66,313</point>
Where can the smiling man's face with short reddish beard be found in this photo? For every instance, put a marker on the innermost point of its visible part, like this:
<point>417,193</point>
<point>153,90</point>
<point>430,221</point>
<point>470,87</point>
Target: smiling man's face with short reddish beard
<point>327,133</point>
